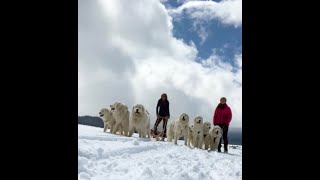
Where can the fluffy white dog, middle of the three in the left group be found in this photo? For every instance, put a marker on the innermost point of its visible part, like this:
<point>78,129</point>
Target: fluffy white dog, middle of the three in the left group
<point>121,115</point>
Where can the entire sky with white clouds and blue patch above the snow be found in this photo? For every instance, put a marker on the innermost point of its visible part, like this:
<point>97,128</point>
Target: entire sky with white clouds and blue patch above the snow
<point>133,51</point>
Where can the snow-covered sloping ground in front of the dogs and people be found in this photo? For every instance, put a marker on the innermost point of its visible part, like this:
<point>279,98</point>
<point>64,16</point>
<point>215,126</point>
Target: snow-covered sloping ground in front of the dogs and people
<point>104,156</point>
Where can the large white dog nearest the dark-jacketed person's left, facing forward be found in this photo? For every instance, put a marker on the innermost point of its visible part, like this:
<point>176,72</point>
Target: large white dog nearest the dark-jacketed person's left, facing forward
<point>140,121</point>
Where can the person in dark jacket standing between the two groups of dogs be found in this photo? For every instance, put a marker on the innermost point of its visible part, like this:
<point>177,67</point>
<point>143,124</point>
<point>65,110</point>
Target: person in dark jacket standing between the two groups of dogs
<point>163,113</point>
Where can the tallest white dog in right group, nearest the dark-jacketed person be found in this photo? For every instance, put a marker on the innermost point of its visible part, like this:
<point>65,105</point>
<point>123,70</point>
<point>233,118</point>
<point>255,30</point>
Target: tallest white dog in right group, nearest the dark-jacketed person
<point>181,128</point>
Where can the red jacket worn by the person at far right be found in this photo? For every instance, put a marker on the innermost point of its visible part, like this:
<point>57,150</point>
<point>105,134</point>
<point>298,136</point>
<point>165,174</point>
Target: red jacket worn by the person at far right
<point>222,116</point>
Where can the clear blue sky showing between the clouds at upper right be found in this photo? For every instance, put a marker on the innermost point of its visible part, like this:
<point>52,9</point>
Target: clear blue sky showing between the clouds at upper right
<point>224,39</point>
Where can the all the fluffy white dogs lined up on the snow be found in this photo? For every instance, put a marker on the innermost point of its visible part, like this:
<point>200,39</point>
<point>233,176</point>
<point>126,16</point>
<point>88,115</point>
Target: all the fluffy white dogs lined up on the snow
<point>197,135</point>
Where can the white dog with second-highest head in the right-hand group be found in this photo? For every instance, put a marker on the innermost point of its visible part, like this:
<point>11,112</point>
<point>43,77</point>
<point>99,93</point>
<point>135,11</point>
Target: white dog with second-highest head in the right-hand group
<point>198,132</point>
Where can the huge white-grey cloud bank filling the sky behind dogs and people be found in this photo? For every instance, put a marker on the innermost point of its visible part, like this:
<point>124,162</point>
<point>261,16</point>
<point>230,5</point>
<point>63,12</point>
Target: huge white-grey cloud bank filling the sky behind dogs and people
<point>127,53</point>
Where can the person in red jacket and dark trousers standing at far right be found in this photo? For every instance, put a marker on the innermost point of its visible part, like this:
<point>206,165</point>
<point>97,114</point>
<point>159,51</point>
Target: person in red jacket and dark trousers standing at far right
<point>222,117</point>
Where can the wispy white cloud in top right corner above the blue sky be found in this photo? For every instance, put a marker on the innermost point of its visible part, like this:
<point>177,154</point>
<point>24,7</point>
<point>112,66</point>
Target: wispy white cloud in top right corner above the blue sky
<point>227,11</point>
